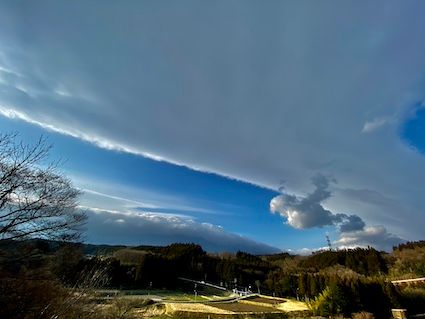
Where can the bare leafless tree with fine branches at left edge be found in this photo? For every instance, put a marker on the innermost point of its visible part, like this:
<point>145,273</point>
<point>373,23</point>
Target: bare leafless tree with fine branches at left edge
<point>35,200</point>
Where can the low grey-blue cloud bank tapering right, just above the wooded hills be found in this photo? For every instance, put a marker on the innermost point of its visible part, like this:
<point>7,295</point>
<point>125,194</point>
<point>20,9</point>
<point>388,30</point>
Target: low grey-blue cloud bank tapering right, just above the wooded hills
<point>152,228</point>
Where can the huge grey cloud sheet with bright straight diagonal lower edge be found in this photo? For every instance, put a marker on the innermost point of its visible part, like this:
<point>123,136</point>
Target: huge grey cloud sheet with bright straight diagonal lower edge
<point>259,92</point>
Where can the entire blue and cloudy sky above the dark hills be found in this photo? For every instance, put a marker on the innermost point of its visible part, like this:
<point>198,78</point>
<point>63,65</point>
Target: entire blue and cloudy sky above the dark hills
<point>238,125</point>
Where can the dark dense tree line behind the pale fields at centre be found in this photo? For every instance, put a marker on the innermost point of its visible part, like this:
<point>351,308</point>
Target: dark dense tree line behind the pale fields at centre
<point>162,267</point>
